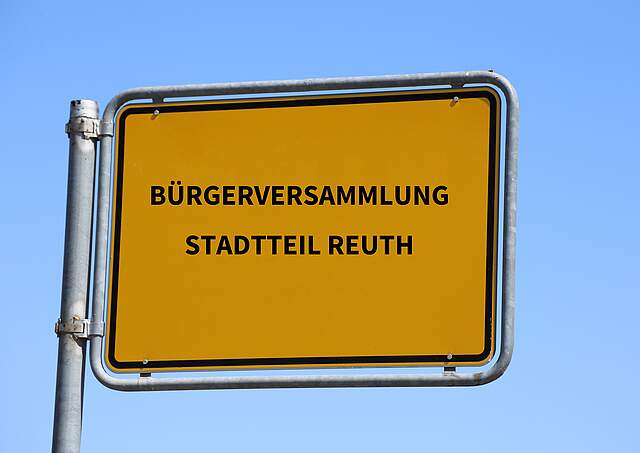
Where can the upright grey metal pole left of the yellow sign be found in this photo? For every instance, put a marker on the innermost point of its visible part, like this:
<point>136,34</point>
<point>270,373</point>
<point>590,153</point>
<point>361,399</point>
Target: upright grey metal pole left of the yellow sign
<point>67,423</point>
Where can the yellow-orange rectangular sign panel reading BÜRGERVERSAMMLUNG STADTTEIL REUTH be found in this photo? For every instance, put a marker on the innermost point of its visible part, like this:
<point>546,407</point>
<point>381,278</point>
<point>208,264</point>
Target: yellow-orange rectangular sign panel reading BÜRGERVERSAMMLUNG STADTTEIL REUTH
<point>309,231</point>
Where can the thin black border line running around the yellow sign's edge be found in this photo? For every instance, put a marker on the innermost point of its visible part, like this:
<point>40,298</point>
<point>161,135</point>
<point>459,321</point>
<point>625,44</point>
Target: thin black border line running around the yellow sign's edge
<point>356,98</point>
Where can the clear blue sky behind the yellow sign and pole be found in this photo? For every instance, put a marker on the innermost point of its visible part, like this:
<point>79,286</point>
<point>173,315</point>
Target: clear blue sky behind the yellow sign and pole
<point>571,385</point>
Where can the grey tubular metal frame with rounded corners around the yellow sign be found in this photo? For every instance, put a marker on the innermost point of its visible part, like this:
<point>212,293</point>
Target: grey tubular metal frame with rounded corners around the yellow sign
<point>449,378</point>
